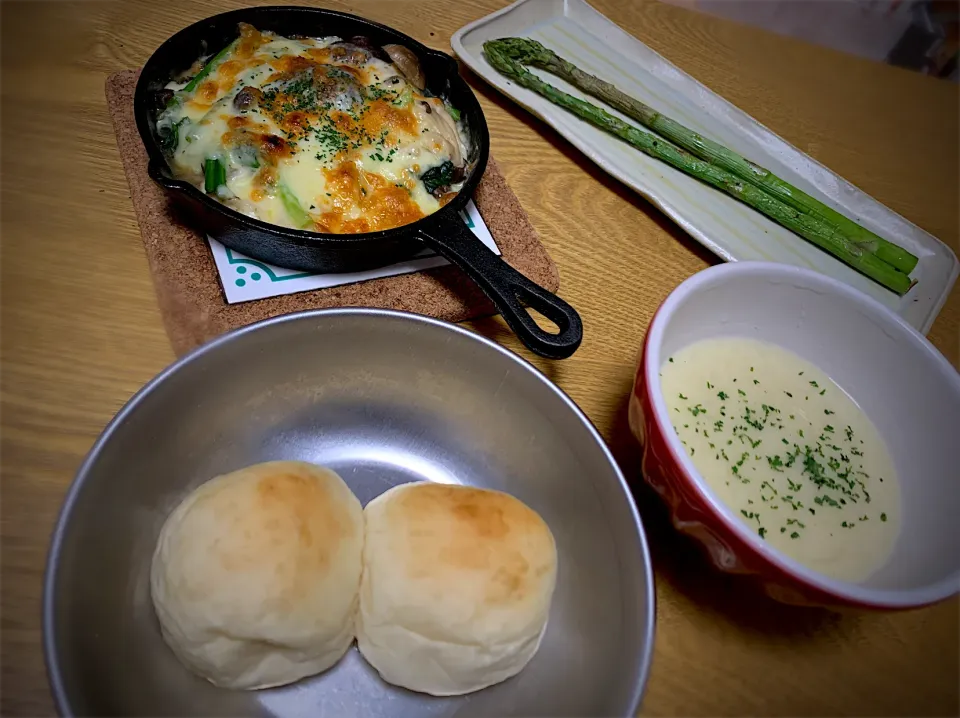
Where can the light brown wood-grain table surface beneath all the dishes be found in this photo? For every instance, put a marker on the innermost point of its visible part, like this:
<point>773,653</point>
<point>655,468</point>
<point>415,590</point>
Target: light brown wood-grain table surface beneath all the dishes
<point>83,330</point>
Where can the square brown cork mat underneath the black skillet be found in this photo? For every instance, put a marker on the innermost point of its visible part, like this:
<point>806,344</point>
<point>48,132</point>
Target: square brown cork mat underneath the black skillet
<point>187,284</point>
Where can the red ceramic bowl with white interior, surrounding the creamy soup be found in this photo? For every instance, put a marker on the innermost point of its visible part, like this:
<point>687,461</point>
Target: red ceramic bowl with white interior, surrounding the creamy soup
<point>910,392</point>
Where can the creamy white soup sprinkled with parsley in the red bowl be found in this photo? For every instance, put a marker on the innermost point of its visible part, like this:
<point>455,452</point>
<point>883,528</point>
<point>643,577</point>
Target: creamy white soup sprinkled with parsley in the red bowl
<point>788,450</point>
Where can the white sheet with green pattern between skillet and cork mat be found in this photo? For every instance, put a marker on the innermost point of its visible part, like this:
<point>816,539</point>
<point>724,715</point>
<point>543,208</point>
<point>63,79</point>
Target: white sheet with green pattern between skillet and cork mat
<point>244,279</point>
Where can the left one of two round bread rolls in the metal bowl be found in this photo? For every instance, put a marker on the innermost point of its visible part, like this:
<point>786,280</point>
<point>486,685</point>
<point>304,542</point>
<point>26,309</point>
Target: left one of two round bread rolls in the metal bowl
<point>256,573</point>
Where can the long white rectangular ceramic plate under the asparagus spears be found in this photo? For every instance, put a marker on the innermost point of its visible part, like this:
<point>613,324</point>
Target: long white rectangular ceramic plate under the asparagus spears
<point>726,227</point>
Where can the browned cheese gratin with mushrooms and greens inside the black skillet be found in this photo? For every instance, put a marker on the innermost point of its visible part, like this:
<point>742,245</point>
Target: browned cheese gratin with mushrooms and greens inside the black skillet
<point>313,134</point>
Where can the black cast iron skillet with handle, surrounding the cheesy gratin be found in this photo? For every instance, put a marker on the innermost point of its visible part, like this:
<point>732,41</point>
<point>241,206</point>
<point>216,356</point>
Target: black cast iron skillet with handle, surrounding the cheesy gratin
<point>442,231</point>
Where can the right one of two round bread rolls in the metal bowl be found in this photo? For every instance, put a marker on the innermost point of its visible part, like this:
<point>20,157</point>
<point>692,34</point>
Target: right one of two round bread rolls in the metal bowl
<point>456,587</point>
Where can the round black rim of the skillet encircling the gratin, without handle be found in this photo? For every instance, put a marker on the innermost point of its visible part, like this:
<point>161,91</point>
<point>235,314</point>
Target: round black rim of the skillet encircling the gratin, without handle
<point>142,115</point>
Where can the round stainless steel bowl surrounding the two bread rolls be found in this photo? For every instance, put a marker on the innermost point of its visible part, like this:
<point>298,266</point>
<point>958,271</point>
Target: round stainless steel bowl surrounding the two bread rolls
<point>383,398</point>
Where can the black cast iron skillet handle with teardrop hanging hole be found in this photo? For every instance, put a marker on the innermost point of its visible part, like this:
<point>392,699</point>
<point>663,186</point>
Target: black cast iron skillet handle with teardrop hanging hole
<point>507,288</point>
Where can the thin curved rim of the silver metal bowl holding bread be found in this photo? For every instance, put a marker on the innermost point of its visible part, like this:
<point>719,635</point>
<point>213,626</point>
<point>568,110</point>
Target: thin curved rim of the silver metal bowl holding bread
<point>50,655</point>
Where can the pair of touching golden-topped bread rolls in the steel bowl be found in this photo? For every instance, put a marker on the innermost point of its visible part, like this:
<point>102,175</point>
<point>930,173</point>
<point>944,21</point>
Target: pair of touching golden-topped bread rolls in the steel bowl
<point>265,575</point>
